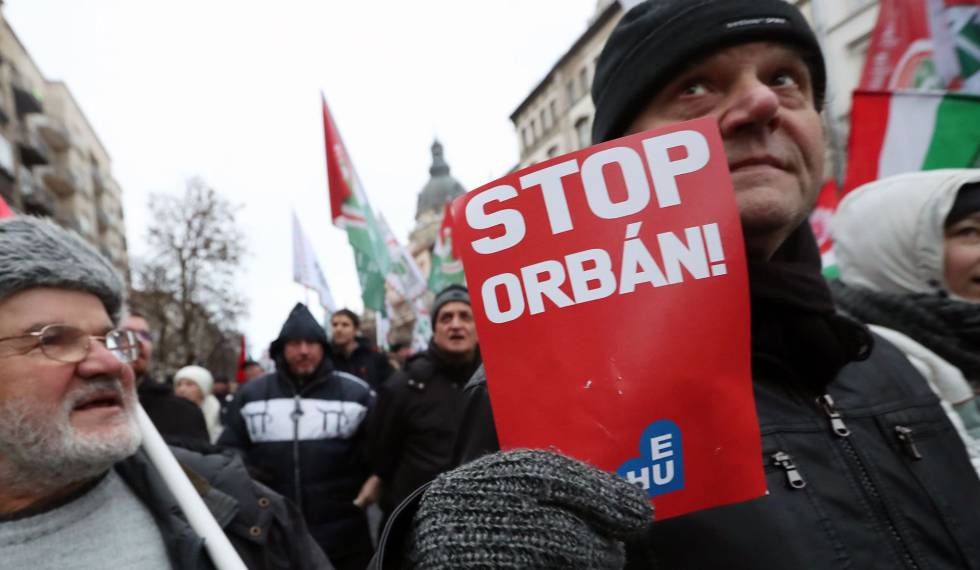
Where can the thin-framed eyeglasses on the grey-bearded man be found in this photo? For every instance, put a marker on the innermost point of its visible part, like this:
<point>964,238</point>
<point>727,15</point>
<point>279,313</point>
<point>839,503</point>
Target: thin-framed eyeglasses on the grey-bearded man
<point>72,345</point>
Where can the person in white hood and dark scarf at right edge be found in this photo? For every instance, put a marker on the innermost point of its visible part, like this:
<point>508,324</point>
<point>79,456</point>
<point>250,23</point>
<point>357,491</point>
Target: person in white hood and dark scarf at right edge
<point>908,248</point>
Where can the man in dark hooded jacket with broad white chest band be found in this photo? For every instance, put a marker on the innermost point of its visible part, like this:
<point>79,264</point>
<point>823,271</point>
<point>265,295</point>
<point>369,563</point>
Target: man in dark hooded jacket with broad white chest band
<point>302,428</point>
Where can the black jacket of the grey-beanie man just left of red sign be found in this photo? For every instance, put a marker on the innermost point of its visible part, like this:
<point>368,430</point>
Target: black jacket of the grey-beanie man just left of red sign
<point>413,428</point>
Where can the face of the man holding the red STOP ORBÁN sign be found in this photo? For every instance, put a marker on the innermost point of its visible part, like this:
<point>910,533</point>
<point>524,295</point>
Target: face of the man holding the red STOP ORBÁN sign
<point>762,96</point>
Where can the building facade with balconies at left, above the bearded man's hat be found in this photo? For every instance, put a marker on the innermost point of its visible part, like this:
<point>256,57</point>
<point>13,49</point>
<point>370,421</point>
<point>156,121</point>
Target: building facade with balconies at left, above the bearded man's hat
<point>51,160</point>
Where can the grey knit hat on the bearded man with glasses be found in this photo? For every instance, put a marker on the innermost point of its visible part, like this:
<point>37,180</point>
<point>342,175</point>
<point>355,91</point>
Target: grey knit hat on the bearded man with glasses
<point>36,252</point>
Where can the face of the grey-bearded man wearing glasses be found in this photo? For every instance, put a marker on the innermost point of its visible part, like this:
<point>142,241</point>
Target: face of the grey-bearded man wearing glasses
<point>61,422</point>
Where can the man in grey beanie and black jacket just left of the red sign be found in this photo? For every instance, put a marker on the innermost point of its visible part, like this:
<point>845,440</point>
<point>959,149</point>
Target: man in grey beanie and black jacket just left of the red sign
<point>414,426</point>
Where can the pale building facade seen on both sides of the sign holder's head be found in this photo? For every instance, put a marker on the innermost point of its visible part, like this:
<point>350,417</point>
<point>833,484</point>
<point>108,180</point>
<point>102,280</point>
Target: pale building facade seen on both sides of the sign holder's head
<point>556,117</point>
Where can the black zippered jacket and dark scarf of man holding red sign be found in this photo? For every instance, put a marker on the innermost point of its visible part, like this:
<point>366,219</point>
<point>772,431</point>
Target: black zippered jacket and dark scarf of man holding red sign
<point>873,477</point>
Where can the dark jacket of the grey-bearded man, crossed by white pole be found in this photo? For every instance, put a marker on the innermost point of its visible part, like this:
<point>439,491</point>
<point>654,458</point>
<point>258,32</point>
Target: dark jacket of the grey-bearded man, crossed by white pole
<point>266,530</point>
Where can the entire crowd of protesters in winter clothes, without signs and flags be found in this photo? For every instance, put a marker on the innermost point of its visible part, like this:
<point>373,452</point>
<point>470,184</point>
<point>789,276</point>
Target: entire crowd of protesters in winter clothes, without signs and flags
<point>291,463</point>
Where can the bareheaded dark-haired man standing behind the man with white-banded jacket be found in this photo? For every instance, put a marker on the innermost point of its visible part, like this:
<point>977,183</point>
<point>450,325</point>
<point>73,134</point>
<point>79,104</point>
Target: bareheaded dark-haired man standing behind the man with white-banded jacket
<point>352,353</point>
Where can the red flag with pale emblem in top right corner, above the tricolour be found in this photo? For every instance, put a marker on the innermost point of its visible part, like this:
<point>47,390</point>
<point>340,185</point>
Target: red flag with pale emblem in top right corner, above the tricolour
<point>924,44</point>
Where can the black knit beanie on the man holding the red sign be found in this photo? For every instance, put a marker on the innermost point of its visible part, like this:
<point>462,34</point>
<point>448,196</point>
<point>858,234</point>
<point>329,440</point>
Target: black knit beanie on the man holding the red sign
<point>658,38</point>
